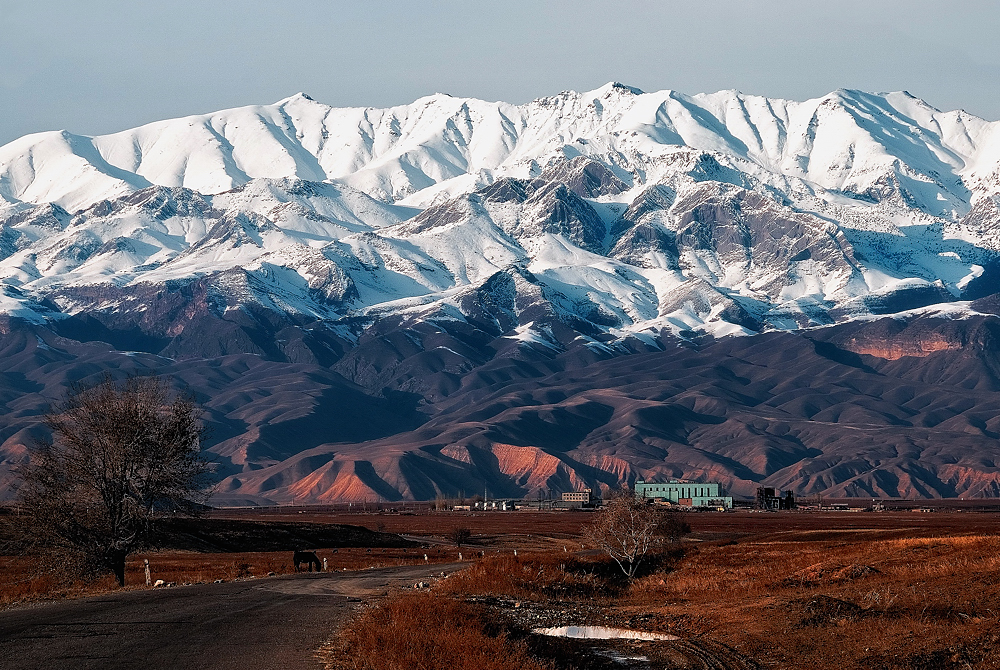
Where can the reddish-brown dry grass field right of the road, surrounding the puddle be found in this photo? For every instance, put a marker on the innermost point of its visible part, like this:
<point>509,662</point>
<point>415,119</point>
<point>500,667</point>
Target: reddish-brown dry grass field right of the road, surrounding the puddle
<point>874,591</point>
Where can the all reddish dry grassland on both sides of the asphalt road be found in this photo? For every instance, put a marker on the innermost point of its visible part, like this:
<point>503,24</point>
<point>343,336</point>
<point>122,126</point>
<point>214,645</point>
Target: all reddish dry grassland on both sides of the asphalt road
<point>873,591</point>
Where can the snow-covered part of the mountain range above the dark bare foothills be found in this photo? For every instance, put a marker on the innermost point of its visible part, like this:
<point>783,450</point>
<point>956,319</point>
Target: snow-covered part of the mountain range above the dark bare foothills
<point>637,212</point>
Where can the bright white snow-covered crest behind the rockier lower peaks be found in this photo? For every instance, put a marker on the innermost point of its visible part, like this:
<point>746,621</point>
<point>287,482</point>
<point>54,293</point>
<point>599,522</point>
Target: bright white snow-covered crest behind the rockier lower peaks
<point>860,144</point>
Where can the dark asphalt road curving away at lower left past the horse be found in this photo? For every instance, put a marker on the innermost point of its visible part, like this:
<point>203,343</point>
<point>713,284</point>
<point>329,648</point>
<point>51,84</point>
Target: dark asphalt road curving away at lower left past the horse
<point>274,623</point>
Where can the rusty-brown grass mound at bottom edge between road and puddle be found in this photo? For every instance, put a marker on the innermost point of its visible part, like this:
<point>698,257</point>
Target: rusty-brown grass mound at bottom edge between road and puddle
<point>429,632</point>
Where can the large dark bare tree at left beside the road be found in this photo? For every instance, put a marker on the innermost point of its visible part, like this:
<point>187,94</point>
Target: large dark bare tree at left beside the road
<point>120,455</point>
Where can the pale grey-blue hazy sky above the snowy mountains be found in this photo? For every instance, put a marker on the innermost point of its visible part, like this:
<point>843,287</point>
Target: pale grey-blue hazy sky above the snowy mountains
<point>102,65</point>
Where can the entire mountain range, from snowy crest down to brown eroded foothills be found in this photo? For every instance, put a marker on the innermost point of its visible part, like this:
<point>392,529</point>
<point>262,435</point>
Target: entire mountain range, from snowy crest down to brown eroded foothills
<point>422,257</point>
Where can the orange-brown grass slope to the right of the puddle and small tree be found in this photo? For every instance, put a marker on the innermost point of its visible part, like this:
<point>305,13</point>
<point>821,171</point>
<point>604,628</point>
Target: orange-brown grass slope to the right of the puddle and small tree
<point>861,603</point>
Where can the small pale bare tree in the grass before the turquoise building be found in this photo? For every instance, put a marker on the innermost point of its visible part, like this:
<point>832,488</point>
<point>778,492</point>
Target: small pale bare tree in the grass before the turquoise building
<point>629,529</point>
